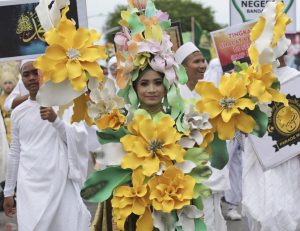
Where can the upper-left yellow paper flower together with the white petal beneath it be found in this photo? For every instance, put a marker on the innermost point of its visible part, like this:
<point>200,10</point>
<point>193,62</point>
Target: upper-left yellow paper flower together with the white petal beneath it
<point>69,62</point>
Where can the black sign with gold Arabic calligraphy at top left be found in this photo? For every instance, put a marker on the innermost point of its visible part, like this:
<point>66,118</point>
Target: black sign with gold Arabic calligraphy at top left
<point>21,34</point>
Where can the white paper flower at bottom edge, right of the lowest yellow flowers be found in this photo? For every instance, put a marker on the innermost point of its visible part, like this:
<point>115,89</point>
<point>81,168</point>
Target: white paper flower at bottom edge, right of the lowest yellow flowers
<point>186,217</point>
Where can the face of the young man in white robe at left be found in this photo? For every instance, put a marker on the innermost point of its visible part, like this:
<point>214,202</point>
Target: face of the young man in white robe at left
<point>30,78</point>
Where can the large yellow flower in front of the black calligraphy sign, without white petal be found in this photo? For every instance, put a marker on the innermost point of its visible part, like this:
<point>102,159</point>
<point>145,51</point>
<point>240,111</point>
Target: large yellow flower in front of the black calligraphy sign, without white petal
<point>71,54</point>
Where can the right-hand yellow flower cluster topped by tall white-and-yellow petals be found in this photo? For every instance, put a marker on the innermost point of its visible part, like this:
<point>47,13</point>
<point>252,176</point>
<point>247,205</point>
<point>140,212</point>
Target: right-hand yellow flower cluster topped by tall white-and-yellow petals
<point>235,104</point>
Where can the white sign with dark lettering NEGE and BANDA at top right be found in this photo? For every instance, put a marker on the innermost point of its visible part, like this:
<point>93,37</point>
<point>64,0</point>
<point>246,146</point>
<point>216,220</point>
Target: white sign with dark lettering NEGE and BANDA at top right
<point>246,10</point>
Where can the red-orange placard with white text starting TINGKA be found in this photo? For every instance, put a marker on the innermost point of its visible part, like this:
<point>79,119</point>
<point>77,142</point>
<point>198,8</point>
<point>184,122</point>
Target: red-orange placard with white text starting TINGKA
<point>232,43</point>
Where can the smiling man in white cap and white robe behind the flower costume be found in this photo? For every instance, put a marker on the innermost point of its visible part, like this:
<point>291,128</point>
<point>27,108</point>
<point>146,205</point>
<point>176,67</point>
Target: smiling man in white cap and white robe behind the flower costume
<point>195,65</point>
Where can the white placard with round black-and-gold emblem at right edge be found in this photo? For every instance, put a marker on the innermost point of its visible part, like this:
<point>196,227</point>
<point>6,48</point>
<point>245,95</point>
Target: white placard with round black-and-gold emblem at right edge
<point>282,140</point>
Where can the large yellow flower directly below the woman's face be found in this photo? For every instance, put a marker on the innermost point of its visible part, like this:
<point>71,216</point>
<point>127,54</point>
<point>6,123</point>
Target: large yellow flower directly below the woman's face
<point>151,144</point>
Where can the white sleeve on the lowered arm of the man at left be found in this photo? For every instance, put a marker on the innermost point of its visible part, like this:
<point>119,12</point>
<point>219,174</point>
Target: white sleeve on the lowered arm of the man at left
<point>13,160</point>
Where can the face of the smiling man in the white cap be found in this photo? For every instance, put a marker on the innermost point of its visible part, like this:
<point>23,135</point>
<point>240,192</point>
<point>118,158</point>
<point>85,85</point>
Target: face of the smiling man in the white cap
<point>195,66</point>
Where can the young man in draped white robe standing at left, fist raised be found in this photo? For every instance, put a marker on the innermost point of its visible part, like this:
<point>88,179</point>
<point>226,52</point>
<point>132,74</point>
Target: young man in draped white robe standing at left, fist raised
<point>48,160</point>
